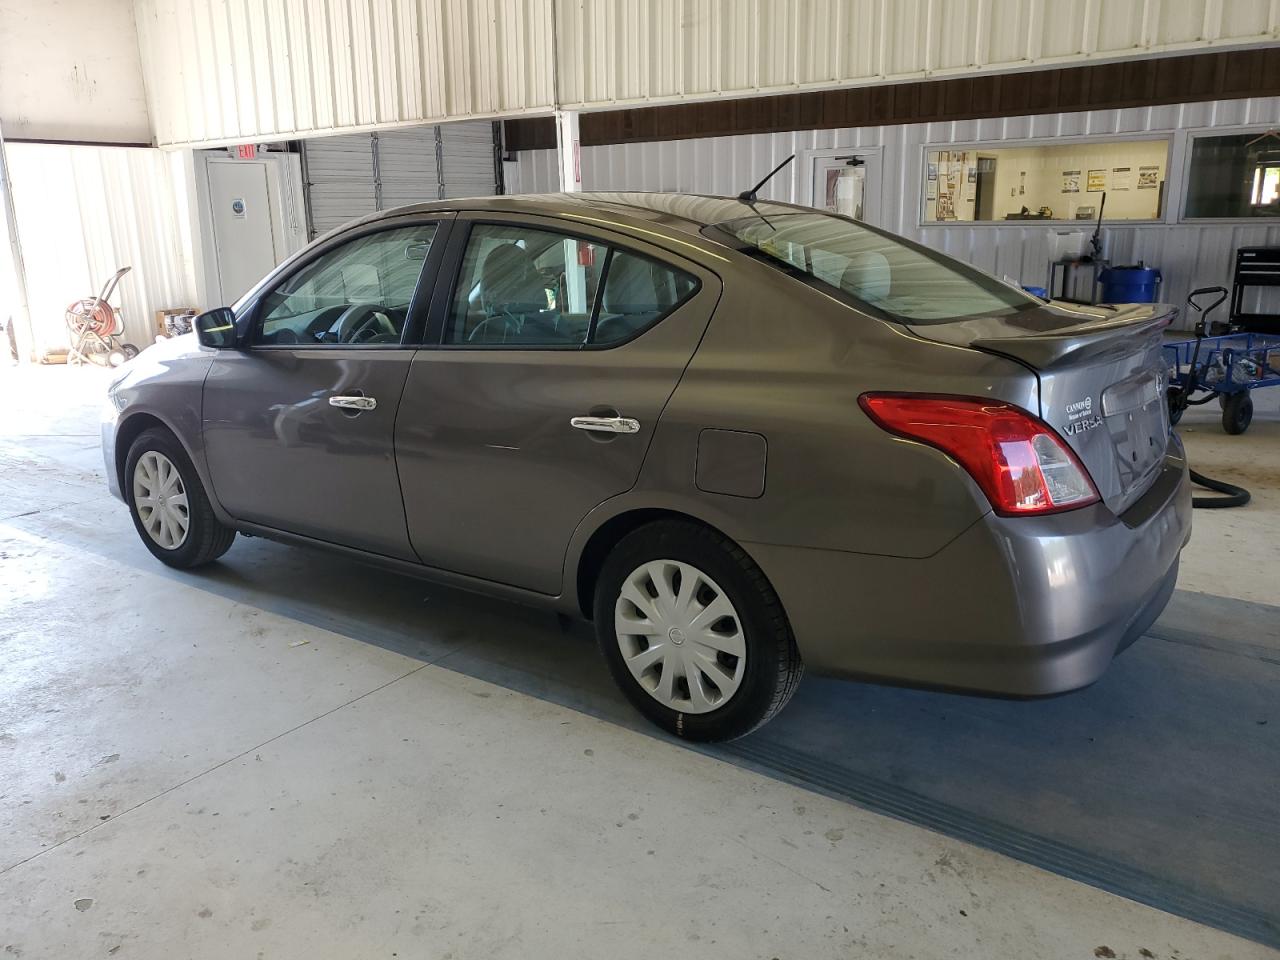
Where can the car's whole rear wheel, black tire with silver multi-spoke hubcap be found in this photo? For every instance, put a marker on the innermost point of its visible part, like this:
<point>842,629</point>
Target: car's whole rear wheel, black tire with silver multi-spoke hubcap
<point>694,634</point>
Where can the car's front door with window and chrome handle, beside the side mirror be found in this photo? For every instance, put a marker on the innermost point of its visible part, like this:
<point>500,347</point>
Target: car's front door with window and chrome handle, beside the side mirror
<point>299,424</point>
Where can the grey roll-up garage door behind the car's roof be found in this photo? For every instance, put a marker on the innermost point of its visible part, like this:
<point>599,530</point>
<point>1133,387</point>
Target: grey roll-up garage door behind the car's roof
<point>360,173</point>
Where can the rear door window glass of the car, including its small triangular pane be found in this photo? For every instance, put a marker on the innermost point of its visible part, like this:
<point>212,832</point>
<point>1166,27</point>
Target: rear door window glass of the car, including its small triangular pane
<point>524,287</point>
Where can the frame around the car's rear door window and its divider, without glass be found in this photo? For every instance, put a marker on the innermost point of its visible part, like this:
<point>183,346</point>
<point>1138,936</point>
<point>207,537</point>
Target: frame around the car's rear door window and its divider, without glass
<point>442,305</point>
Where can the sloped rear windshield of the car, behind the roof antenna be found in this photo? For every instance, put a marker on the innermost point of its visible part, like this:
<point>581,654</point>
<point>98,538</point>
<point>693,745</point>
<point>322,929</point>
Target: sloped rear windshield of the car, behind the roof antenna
<point>894,277</point>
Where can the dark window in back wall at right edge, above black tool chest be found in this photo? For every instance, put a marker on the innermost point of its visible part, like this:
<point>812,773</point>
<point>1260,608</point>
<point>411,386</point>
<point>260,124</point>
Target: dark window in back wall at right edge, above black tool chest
<point>1235,177</point>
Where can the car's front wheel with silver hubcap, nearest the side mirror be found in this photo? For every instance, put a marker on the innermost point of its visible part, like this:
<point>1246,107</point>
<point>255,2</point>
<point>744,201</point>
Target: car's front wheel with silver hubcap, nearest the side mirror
<point>170,506</point>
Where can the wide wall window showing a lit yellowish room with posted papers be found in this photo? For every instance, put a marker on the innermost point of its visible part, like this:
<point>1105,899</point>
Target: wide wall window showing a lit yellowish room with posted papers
<point>1062,181</point>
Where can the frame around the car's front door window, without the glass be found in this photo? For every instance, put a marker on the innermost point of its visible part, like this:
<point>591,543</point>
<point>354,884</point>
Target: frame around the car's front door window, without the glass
<point>417,319</point>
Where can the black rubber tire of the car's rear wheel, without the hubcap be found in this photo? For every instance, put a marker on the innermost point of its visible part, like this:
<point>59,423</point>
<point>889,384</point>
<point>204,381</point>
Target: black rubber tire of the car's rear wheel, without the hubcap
<point>774,668</point>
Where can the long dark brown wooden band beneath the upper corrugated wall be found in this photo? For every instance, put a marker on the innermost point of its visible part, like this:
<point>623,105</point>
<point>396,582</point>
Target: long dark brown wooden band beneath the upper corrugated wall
<point>1128,84</point>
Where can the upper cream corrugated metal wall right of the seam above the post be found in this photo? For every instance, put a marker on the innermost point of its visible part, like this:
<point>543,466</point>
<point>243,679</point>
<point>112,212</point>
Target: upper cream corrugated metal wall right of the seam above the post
<point>656,51</point>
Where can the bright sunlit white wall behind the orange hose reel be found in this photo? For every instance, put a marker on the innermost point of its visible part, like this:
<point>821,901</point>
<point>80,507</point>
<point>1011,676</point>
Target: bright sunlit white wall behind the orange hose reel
<point>84,213</point>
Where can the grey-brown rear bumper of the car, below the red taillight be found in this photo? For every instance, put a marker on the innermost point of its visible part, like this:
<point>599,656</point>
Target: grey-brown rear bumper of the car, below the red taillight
<point>1014,606</point>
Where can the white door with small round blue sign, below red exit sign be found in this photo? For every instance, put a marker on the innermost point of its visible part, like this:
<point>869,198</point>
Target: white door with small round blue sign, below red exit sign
<point>244,231</point>
